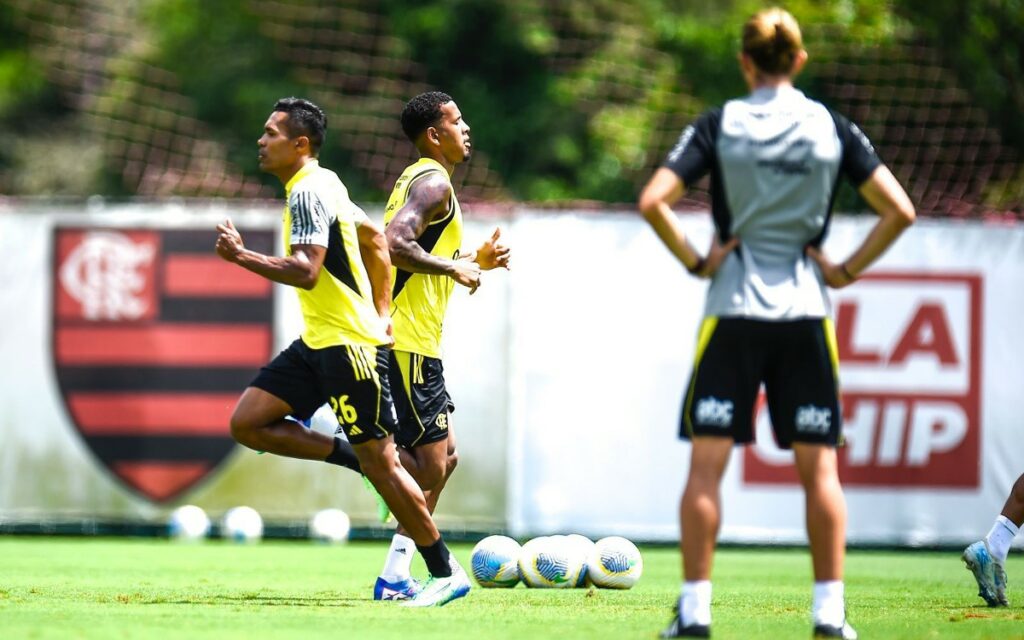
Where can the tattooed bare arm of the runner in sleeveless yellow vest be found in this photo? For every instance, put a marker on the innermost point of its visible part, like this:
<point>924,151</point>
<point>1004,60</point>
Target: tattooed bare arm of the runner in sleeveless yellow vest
<point>429,199</point>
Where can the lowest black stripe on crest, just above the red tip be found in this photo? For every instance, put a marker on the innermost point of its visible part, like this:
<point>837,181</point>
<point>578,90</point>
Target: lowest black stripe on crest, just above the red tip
<point>112,449</point>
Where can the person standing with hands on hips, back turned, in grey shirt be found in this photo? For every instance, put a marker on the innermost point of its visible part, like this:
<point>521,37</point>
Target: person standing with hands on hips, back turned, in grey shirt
<point>775,158</point>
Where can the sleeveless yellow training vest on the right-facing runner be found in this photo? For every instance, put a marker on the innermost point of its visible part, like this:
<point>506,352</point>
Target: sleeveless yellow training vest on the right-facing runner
<point>419,301</point>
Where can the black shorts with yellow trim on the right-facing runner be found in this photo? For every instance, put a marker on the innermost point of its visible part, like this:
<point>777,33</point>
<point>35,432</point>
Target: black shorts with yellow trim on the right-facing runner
<point>420,398</point>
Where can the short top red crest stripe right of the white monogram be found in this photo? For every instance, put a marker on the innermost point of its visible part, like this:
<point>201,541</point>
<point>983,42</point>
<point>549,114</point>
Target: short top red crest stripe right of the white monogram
<point>210,277</point>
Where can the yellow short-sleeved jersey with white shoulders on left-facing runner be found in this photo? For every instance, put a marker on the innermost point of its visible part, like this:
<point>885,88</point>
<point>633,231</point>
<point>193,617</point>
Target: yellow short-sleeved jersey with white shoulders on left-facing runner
<point>339,310</point>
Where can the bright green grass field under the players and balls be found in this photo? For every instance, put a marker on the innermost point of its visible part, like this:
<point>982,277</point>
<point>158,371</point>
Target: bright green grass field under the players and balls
<point>134,588</point>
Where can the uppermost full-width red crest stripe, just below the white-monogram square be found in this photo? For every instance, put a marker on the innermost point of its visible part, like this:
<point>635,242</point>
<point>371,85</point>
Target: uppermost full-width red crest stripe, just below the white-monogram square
<point>169,346</point>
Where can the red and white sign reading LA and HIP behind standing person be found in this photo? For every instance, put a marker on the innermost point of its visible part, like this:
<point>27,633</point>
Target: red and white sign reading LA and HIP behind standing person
<point>910,348</point>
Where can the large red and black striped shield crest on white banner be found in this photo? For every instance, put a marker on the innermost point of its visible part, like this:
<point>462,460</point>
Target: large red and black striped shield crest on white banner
<point>154,339</point>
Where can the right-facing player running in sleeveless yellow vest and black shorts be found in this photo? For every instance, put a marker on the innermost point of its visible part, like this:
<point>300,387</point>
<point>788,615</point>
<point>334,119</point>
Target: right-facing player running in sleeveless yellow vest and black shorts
<point>424,233</point>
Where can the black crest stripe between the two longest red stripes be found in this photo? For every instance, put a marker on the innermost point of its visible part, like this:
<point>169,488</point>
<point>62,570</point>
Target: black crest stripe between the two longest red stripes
<point>216,380</point>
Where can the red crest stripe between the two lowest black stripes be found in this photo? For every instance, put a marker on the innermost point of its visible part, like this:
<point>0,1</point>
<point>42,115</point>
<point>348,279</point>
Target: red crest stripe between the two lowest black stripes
<point>153,414</point>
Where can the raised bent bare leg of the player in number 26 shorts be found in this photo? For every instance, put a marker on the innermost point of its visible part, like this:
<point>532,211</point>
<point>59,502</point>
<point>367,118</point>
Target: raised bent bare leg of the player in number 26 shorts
<point>259,422</point>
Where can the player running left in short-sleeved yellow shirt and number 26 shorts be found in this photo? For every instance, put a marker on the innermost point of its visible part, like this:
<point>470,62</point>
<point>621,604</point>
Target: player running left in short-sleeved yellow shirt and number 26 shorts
<point>338,262</point>
